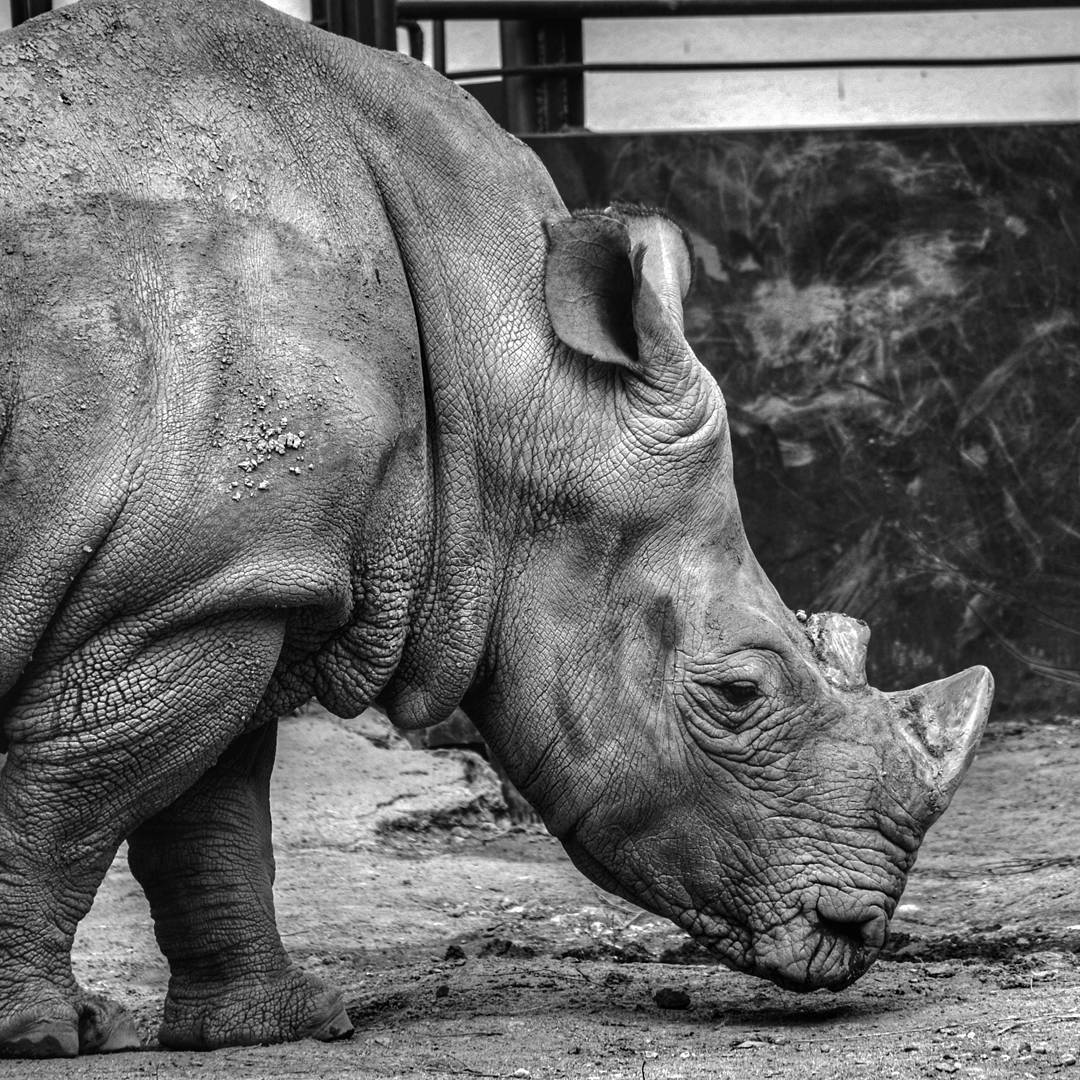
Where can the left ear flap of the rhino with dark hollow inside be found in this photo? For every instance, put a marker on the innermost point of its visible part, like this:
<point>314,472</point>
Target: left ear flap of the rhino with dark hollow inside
<point>589,287</point>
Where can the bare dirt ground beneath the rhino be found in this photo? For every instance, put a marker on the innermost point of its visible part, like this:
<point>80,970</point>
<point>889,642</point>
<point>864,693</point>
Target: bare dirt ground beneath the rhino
<point>469,948</point>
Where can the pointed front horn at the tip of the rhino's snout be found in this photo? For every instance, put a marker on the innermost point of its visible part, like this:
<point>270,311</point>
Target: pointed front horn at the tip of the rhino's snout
<point>944,722</point>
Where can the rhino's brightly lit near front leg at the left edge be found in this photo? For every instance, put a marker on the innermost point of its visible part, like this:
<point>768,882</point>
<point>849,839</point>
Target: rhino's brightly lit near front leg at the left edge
<point>99,744</point>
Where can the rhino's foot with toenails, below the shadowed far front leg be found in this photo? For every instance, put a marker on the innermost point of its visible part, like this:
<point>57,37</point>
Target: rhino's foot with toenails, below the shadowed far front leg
<point>279,1008</point>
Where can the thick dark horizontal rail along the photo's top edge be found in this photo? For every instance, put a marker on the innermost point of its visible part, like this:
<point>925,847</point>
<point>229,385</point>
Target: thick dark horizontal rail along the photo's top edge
<point>625,9</point>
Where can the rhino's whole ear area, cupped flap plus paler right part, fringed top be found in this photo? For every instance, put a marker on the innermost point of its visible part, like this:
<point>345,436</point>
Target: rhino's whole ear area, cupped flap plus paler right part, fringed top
<point>616,282</point>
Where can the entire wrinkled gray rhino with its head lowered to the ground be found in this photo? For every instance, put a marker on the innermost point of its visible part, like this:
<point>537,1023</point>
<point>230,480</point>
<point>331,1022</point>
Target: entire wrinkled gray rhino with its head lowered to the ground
<point>285,413</point>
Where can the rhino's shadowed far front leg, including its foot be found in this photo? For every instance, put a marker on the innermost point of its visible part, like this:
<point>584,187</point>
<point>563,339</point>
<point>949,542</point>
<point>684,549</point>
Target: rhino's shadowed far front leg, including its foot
<point>207,866</point>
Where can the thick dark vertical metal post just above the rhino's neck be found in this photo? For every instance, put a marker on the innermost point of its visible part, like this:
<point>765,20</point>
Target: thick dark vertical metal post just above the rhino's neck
<point>539,103</point>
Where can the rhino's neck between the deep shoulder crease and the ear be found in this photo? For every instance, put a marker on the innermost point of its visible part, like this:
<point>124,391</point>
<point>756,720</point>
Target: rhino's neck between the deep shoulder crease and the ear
<point>474,262</point>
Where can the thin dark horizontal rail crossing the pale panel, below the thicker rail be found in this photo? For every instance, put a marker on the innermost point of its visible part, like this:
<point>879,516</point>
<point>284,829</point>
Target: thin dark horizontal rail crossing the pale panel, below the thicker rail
<point>630,66</point>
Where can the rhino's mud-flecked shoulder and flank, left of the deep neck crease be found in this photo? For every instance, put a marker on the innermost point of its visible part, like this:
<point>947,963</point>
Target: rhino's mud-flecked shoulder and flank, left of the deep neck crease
<point>213,394</point>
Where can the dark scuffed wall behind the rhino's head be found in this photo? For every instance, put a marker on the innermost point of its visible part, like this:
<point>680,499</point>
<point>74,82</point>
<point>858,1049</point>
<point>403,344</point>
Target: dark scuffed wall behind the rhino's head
<point>895,319</point>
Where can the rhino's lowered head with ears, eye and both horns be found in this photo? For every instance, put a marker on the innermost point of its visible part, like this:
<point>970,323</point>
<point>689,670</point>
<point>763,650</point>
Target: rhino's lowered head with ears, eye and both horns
<point>697,747</point>
